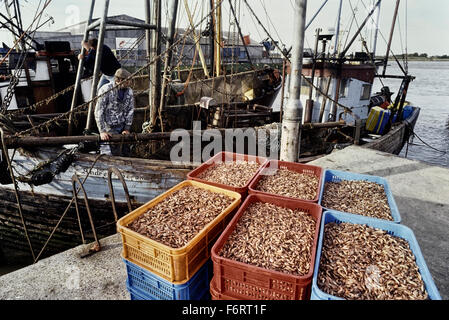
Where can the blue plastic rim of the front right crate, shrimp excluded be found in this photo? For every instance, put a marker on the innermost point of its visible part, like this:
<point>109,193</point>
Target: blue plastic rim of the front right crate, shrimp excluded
<point>393,229</point>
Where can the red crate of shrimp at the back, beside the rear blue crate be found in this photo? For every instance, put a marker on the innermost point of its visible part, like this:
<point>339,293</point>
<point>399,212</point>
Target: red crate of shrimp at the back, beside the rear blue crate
<point>288,180</point>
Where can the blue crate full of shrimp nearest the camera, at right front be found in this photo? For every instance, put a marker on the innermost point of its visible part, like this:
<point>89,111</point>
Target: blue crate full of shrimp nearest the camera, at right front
<point>361,258</point>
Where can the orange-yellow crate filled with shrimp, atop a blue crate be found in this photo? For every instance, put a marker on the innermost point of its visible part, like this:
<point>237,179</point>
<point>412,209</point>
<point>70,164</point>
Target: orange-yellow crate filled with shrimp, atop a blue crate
<point>172,235</point>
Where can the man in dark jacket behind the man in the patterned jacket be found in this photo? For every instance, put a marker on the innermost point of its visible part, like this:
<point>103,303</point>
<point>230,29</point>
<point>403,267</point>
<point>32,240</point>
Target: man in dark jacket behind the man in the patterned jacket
<point>109,63</point>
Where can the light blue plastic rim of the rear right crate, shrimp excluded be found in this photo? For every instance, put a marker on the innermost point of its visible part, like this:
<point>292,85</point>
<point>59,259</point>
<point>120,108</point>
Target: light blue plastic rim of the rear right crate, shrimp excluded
<point>337,176</point>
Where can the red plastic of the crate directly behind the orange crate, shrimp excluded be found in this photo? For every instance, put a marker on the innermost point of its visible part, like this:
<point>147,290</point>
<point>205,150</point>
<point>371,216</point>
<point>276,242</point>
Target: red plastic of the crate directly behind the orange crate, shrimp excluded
<point>224,157</point>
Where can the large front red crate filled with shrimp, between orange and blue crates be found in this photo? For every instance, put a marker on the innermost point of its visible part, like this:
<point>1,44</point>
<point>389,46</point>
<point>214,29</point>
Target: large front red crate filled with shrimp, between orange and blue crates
<point>268,251</point>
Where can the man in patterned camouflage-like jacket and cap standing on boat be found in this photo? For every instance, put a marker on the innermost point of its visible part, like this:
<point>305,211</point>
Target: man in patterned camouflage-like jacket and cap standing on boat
<point>114,112</point>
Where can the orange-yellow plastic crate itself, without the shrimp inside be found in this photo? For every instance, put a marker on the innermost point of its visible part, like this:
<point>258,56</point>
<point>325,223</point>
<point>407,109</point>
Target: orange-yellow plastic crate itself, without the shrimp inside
<point>174,265</point>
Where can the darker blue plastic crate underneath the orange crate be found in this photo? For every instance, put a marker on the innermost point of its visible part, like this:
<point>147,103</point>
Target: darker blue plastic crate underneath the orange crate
<point>145,284</point>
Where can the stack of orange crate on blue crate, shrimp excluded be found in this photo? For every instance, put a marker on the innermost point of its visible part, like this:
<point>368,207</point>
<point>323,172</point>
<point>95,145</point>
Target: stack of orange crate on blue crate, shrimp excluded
<point>158,272</point>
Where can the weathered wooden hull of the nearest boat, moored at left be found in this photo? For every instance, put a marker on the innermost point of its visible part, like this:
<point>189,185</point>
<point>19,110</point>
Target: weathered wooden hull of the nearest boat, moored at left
<point>44,206</point>
